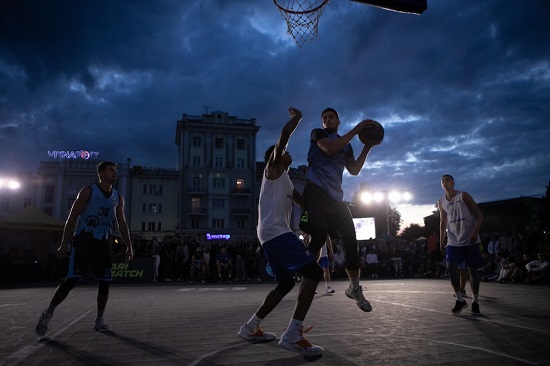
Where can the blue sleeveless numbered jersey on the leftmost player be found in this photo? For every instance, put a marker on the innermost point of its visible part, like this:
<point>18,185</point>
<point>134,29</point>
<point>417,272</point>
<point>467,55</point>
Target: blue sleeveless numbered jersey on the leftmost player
<point>96,219</point>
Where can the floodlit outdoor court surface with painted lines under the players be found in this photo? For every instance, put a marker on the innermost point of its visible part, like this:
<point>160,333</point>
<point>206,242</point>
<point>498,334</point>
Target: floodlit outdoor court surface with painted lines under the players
<point>188,324</point>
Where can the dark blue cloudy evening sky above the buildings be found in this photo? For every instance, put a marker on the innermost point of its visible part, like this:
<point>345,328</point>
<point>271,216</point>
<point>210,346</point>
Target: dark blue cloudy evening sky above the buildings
<point>463,88</point>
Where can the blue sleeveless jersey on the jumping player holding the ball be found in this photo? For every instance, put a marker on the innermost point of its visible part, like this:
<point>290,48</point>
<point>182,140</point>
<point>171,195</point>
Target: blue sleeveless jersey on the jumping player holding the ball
<point>327,170</point>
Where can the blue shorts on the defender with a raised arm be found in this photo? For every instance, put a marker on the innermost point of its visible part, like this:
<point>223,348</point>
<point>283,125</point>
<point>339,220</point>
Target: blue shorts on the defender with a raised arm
<point>286,254</point>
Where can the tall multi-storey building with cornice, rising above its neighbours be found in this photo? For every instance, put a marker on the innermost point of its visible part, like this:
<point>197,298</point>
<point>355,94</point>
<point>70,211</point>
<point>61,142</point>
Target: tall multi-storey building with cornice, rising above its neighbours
<point>217,175</point>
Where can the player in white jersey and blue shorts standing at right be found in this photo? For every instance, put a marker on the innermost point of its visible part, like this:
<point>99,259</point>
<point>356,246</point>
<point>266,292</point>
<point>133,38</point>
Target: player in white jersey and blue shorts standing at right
<point>460,221</point>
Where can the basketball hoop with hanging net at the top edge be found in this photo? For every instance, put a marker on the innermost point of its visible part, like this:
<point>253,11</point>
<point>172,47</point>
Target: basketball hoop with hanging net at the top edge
<point>302,18</point>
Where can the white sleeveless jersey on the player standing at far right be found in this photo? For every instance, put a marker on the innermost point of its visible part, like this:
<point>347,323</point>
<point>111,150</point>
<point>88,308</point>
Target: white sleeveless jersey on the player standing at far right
<point>460,221</point>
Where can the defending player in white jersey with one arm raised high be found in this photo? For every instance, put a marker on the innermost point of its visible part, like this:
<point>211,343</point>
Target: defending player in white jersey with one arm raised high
<point>286,253</point>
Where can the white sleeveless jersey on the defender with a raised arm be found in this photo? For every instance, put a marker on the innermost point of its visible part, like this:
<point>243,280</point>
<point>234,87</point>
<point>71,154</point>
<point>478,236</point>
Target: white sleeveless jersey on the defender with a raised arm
<point>275,207</point>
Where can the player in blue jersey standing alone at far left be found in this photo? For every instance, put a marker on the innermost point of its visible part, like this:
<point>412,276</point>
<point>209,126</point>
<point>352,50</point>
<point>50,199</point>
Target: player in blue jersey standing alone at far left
<point>92,213</point>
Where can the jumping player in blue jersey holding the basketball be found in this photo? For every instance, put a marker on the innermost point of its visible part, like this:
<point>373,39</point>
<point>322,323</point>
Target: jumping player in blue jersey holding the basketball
<point>325,212</point>
